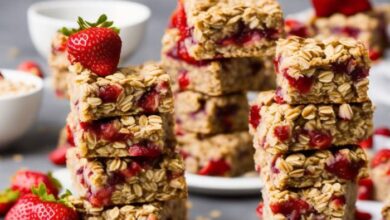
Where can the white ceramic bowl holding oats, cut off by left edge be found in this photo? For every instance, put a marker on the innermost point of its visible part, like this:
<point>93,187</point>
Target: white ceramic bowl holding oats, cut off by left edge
<point>19,112</point>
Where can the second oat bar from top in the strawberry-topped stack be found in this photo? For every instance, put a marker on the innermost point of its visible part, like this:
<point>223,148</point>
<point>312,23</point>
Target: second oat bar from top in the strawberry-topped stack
<point>125,136</point>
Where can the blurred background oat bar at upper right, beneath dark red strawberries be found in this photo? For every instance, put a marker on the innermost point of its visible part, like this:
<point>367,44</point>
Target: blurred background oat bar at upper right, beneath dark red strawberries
<point>368,27</point>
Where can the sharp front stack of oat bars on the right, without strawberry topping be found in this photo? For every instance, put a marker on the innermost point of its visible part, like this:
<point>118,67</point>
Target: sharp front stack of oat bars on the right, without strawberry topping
<point>306,132</point>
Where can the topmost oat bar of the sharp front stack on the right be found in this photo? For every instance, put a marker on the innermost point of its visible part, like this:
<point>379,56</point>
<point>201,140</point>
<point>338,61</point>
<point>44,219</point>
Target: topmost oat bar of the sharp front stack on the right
<point>329,71</point>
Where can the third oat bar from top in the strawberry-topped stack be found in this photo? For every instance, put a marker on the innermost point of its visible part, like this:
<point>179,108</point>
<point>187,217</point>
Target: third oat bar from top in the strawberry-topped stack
<point>121,181</point>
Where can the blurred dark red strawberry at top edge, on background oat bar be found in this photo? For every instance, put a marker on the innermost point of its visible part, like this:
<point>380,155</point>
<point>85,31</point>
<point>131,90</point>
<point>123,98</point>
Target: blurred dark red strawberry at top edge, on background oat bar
<point>325,8</point>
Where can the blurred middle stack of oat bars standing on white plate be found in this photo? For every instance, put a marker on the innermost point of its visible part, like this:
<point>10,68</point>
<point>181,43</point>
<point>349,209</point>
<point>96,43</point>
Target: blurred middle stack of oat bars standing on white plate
<point>214,52</point>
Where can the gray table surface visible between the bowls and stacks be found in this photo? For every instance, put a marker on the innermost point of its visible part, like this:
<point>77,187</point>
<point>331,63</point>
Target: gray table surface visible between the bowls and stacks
<point>35,145</point>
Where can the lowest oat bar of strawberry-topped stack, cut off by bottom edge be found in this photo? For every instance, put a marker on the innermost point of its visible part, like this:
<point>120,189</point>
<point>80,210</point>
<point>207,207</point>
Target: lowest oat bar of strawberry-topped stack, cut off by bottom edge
<point>170,210</point>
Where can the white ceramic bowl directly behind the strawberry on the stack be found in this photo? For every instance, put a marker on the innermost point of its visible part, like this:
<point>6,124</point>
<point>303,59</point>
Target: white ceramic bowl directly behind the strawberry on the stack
<point>45,18</point>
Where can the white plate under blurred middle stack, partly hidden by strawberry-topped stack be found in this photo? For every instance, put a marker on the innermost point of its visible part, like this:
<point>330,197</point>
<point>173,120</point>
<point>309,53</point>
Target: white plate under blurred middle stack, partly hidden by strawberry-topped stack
<point>197,183</point>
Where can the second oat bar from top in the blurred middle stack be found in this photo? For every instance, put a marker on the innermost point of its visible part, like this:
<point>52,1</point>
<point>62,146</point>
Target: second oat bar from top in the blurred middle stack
<point>214,77</point>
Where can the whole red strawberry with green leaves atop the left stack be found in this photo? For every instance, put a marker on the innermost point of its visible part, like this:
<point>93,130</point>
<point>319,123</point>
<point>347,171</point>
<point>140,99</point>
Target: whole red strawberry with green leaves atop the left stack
<point>97,46</point>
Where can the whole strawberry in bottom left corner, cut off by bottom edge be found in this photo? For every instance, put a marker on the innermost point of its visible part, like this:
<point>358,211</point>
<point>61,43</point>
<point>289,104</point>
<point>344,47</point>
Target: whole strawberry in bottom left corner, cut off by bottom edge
<point>39,205</point>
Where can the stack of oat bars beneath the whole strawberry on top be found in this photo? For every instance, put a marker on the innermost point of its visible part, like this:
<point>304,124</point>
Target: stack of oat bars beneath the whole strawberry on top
<point>124,164</point>
